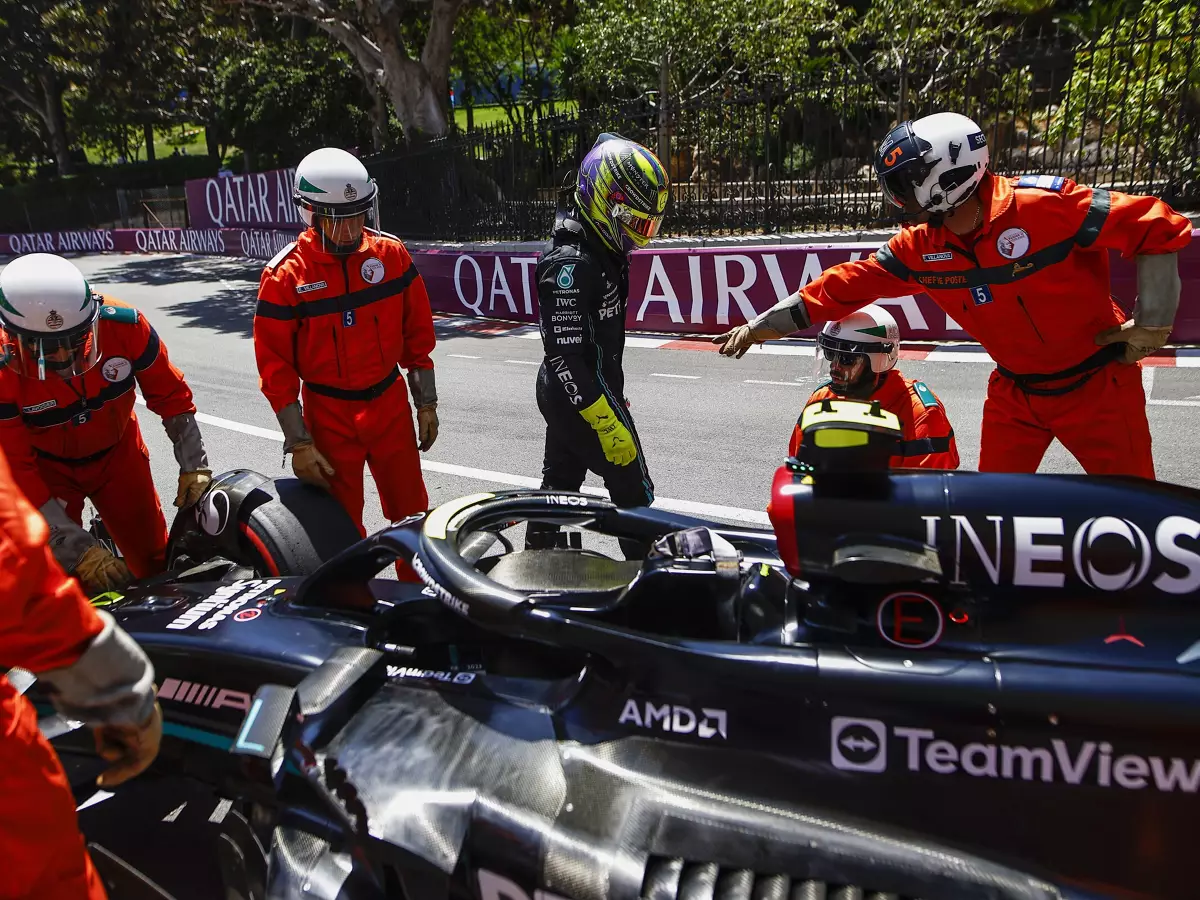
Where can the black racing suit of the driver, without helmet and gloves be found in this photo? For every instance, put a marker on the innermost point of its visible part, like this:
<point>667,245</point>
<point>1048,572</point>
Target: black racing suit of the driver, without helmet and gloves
<point>583,295</point>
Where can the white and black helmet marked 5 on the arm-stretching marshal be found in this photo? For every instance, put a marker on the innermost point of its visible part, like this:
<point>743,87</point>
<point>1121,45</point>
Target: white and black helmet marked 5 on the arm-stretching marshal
<point>937,163</point>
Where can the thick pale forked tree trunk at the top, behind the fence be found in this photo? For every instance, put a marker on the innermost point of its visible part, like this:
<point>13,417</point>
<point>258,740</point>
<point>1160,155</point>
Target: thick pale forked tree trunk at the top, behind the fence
<point>379,35</point>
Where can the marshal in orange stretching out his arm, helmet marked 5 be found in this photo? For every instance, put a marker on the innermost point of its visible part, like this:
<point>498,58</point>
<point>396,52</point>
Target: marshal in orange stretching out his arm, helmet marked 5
<point>1023,266</point>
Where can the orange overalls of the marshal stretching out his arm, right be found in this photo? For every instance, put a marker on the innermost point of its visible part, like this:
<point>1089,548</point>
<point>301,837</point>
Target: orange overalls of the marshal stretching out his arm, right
<point>1031,285</point>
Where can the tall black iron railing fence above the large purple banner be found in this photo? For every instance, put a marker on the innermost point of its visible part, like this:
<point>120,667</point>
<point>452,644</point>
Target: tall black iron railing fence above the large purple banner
<point>793,155</point>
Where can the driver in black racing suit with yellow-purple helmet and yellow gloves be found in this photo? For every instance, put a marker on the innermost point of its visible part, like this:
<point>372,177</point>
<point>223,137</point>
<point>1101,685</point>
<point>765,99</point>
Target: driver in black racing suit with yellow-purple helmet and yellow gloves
<point>616,208</point>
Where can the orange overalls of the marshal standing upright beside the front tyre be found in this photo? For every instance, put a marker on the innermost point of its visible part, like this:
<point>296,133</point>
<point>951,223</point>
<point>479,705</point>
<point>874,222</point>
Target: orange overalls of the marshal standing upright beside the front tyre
<point>345,326</point>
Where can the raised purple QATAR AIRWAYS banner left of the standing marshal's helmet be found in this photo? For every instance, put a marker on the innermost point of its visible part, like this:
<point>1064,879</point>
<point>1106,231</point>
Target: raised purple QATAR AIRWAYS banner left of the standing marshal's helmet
<point>260,200</point>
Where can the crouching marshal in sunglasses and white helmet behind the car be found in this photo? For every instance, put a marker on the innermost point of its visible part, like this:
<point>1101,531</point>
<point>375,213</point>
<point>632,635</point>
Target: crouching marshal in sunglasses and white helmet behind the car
<point>861,353</point>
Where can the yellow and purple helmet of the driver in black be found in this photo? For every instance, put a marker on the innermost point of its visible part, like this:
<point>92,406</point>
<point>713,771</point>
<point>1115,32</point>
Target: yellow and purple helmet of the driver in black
<point>623,193</point>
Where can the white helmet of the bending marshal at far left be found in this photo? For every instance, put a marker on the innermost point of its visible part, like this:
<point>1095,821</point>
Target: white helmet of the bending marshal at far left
<point>50,317</point>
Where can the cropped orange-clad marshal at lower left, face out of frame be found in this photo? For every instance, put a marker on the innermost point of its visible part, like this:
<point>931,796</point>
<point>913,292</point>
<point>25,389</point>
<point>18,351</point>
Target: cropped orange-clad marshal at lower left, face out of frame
<point>94,673</point>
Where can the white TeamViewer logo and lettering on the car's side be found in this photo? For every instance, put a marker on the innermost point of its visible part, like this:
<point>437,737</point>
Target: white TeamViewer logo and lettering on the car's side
<point>863,746</point>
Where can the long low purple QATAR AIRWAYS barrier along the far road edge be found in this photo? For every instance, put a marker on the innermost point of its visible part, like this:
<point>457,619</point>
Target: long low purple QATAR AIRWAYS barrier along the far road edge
<point>674,290</point>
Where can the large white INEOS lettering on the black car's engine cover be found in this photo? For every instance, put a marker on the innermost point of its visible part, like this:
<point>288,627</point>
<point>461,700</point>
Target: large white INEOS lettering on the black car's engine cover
<point>1105,554</point>
